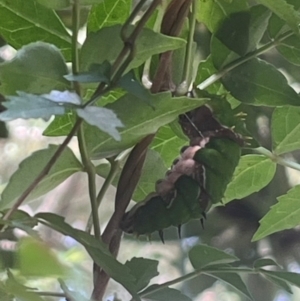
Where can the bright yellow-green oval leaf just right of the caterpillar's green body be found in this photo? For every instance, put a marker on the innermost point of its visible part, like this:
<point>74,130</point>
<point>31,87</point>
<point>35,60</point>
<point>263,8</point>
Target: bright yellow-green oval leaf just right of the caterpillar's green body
<point>253,173</point>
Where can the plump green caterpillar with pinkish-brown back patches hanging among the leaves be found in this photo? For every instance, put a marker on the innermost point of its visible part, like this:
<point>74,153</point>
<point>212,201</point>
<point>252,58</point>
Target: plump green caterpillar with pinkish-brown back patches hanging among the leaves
<point>195,181</point>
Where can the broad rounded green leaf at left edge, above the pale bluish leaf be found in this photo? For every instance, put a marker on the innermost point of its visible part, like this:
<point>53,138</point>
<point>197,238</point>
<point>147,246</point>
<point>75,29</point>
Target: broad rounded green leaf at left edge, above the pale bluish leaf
<point>37,68</point>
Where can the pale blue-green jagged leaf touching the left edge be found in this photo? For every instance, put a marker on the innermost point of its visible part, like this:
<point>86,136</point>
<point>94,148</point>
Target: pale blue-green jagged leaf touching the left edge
<point>30,106</point>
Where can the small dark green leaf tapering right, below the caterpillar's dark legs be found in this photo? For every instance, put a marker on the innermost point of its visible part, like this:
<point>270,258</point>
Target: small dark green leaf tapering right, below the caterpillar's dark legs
<point>203,256</point>
